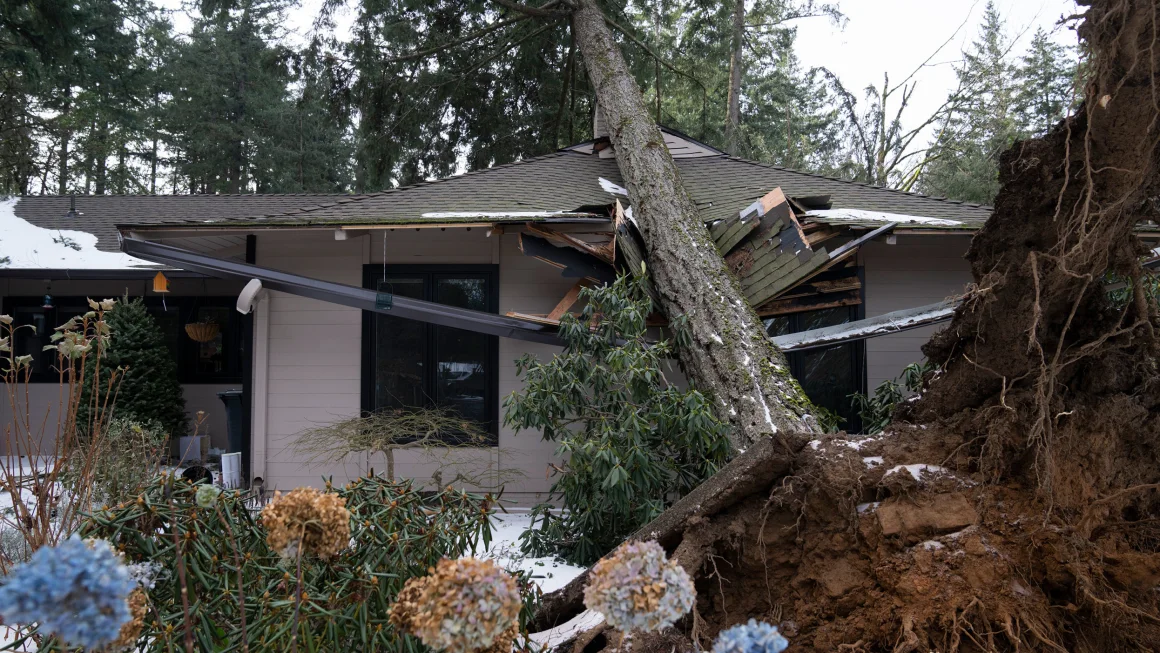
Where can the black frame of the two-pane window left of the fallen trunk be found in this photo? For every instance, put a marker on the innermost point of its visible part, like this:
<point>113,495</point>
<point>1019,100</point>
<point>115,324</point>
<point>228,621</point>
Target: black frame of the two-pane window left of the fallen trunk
<point>373,273</point>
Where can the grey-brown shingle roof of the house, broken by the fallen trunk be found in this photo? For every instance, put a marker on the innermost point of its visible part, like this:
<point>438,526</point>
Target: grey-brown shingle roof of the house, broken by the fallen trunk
<point>561,182</point>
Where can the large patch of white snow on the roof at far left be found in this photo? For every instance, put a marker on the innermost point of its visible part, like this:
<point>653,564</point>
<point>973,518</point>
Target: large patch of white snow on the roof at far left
<point>25,245</point>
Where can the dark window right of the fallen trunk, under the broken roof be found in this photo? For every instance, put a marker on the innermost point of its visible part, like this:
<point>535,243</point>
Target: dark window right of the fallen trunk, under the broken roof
<point>829,375</point>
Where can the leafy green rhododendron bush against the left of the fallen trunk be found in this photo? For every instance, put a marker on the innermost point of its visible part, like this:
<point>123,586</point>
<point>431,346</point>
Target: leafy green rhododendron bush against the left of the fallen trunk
<point>633,441</point>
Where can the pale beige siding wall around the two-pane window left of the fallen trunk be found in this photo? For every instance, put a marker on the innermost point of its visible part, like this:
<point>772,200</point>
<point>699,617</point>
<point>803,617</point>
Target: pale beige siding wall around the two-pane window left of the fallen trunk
<point>315,352</point>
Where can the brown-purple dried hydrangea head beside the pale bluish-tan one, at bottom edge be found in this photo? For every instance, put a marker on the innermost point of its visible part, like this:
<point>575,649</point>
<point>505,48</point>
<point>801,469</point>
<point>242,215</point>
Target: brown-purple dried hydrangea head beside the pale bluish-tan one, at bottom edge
<point>465,606</point>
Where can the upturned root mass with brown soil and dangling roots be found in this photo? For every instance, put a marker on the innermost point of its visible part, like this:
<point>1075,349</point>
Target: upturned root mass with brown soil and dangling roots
<point>1014,506</point>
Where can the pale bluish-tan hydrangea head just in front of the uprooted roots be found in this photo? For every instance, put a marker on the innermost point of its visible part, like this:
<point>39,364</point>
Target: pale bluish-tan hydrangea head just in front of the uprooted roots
<point>637,587</point>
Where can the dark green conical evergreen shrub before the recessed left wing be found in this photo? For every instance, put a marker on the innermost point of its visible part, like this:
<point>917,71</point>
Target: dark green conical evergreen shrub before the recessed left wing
<point>149,391</point>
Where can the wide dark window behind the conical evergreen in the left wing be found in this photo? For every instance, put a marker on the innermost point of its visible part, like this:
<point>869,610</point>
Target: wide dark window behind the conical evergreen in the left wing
<point>216,361</point>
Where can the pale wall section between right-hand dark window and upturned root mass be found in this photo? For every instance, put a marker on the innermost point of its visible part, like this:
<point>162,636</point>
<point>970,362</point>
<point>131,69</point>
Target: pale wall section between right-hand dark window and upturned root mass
<point>918,271</point>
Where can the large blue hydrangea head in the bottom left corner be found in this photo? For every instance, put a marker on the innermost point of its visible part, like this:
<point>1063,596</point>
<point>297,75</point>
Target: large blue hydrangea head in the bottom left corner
<point>77,591</point>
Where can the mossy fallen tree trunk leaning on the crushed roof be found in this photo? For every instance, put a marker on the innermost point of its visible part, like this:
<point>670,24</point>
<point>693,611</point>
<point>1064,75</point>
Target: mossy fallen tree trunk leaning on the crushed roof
<point>731,358</point>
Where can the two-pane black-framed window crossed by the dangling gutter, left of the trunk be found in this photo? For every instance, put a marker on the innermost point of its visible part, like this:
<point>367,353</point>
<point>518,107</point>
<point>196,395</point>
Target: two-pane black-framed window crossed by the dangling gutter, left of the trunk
<point>409,364</point>
